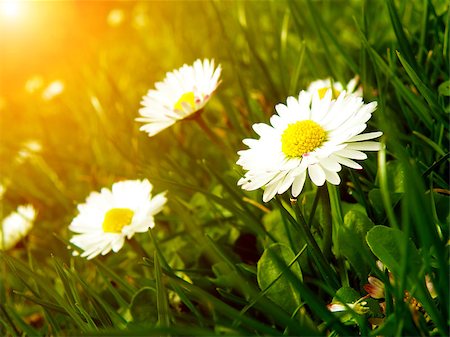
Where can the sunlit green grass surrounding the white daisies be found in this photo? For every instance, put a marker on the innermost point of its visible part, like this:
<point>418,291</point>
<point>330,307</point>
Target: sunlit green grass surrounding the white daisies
<point>219,261</point>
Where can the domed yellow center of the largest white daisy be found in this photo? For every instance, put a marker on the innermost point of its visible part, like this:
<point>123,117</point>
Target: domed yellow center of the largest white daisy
<point>301,137</point>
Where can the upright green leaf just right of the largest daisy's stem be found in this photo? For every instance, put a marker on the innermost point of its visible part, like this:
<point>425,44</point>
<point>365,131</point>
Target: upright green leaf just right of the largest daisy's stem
<point>352,244</point>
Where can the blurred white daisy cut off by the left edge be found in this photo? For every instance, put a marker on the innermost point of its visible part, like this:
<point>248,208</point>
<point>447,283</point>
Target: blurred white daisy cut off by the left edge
<point>16,226</point>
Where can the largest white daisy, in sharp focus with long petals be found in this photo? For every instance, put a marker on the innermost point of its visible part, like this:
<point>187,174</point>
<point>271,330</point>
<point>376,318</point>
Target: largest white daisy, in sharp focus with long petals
<point>307,136</point>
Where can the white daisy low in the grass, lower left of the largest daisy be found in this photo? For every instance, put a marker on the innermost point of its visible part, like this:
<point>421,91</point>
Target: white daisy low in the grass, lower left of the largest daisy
<point>108,217</point>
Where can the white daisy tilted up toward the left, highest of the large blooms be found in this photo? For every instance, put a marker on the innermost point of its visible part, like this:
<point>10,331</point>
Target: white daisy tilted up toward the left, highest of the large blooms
<point>182,93</point>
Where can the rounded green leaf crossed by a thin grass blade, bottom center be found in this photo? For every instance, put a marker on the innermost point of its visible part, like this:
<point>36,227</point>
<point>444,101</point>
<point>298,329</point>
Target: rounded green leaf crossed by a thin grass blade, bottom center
<point>282,292</point>
